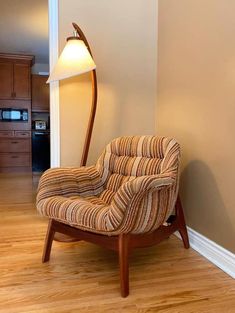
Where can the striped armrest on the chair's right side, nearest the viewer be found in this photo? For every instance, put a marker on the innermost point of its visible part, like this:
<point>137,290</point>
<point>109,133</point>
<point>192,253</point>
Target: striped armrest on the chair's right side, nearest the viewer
<point>144,203</point>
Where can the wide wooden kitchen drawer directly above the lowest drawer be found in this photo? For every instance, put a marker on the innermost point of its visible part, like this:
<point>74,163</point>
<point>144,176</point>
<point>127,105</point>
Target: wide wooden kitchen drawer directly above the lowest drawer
<point>15,145</point>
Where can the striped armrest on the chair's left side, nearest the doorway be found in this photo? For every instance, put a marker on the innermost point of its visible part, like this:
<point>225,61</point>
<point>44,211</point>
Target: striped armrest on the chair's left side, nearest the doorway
<point>68,182</point>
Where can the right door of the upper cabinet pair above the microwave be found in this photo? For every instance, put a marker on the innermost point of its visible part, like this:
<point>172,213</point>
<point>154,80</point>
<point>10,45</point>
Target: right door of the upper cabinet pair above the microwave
<point>22,81</point>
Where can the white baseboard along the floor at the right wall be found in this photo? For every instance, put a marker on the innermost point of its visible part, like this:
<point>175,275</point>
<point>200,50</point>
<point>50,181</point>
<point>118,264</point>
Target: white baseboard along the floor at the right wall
<point>219,256</point>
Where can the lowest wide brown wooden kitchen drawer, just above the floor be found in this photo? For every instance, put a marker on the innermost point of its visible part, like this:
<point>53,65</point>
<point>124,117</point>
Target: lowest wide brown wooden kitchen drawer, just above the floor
<point>15,159</point>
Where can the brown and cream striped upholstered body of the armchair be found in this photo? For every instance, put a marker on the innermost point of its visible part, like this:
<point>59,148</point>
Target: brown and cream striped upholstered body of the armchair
<point>132,188</point>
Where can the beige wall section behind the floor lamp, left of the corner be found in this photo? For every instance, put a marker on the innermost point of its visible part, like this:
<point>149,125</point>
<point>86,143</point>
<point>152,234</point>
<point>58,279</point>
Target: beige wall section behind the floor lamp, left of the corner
<point>122,35</point>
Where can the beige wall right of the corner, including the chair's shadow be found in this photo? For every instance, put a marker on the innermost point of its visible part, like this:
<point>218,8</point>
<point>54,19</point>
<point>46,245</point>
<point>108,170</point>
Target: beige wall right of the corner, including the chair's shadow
<point>196,104</point>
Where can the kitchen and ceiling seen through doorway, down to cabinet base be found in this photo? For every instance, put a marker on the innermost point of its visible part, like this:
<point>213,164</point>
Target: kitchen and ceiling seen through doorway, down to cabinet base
<point>24,69</point>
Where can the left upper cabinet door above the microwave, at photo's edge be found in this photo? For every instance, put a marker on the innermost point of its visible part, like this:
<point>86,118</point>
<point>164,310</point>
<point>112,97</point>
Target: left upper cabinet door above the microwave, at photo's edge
<point>6,80</point>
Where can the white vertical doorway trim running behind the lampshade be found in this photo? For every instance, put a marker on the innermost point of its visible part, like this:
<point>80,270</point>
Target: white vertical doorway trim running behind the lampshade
<point>53,7</point>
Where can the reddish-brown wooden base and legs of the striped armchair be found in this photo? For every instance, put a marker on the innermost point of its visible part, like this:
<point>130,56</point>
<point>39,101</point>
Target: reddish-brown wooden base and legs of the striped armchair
<point>122,243</point>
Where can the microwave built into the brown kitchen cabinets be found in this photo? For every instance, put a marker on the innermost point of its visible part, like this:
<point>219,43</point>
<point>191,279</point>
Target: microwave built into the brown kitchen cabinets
<point>13,115</point>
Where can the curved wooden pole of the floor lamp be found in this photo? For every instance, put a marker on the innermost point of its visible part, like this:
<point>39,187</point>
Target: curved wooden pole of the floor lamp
<point>94,100</point>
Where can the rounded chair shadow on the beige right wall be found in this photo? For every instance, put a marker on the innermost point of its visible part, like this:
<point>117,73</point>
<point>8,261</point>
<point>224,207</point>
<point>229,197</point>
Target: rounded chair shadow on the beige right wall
<point>204,207</point>
